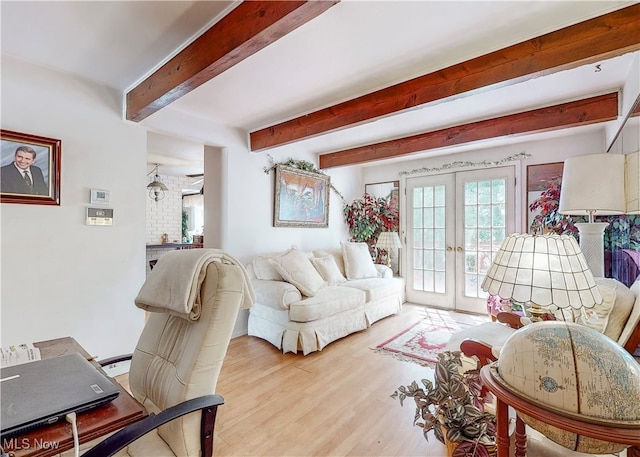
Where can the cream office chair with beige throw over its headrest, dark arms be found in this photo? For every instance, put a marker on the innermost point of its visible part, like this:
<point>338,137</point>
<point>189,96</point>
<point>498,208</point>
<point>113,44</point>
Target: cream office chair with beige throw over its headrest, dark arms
<point>176,363</point>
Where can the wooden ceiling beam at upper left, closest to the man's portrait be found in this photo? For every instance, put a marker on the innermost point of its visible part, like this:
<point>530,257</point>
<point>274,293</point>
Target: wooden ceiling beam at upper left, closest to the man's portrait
<point>249,27</point>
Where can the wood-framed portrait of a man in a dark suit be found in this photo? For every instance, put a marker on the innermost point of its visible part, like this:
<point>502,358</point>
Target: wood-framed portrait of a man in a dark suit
<point>29,169</point>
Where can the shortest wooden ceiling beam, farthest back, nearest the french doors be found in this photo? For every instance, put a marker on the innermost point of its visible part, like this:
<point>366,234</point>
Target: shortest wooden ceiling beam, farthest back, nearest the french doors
<point>582,112</point>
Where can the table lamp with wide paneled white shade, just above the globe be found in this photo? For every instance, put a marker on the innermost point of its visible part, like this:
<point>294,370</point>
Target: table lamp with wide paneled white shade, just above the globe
<point>543,271</point>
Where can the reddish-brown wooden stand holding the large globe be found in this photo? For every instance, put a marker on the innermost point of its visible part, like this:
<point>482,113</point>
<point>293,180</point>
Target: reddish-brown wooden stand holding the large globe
<point>504,399</point>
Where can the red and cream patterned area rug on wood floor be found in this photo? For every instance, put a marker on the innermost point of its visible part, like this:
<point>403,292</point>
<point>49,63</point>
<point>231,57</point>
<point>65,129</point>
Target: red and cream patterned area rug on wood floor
<point>422,342</point>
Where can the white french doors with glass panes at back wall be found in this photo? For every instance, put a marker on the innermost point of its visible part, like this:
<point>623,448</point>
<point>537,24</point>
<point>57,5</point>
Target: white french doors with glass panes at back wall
<point>456,222</point>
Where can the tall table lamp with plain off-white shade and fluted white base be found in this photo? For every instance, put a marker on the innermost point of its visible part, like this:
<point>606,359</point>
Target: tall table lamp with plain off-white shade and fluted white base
<point>593,185</point>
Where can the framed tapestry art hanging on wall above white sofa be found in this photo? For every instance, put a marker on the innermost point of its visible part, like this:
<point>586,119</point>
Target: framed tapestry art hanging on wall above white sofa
<point>301,198</point>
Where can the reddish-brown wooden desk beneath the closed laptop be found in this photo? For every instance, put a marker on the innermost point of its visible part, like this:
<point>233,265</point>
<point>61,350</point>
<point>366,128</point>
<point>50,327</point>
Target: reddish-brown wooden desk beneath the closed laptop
<point>53,439</point>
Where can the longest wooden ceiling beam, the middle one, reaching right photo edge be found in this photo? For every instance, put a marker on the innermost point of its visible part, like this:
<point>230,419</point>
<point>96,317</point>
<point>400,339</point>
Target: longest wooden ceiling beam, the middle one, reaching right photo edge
<point>596,39</point>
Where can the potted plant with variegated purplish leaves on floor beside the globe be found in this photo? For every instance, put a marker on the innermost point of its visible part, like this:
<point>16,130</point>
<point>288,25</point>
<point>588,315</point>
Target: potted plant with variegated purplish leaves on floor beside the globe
<point>454,408</point>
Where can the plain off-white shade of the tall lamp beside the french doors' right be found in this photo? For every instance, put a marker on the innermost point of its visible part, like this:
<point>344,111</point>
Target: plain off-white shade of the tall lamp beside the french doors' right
<point>593,183</point>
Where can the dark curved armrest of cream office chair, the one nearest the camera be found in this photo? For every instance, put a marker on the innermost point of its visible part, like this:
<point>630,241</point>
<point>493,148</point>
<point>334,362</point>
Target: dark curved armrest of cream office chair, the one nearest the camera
<point>208,404</point>
